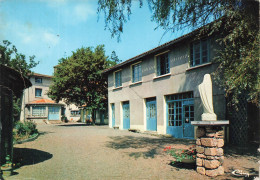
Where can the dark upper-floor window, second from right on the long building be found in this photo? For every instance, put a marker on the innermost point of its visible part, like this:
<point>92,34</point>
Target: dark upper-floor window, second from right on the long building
<point>162,62</point>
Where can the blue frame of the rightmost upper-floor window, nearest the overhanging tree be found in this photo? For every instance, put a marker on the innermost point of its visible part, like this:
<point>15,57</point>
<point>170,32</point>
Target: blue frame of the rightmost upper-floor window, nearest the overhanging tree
<point>193,52</point>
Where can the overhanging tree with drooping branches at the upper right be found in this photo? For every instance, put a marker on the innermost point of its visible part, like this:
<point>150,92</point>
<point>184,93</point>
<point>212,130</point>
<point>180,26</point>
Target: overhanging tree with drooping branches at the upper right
<point>235,22</point>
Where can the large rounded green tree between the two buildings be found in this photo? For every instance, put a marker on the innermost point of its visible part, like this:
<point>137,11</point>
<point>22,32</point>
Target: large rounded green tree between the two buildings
<point>78,79</point>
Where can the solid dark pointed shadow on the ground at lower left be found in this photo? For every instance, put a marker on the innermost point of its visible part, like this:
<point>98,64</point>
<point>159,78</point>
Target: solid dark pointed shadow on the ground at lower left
<point>26,156</point>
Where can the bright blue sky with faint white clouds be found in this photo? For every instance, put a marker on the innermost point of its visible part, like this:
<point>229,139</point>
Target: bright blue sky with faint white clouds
<point>52,29</point>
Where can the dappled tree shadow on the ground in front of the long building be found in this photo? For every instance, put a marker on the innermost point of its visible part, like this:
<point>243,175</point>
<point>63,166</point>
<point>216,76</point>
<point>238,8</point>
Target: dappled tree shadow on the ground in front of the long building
<point>145,147</point>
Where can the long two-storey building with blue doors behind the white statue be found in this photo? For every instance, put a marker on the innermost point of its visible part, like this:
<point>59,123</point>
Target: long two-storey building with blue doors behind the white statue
<point>158,90</point>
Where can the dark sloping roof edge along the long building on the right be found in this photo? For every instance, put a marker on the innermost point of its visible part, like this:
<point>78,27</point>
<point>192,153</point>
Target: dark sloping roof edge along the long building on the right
<point>165,45</point>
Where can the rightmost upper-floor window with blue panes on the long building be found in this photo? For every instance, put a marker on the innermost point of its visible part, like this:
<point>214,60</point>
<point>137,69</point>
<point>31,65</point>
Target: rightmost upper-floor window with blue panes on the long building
<point>199,53</point>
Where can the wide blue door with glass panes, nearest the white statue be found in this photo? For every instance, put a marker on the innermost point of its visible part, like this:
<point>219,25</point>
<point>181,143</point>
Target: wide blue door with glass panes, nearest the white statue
<point>180,113</point>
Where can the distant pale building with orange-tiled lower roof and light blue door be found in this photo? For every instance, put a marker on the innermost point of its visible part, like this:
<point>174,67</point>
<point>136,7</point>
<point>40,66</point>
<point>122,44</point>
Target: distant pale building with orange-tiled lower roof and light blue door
<point>37,106</point>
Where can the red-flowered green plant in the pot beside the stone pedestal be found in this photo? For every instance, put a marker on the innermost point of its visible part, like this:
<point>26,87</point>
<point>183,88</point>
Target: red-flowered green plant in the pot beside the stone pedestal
<point>180,154</point>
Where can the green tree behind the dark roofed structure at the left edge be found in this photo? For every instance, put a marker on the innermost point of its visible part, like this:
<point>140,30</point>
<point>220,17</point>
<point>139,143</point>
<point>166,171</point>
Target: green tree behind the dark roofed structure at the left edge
<point>10,57</point>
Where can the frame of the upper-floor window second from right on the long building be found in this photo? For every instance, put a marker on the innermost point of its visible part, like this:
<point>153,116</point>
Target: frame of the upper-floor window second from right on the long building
<point>157,65</point>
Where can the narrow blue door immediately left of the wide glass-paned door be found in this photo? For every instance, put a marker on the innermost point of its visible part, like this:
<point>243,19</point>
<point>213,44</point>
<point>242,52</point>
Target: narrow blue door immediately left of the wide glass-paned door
<point>151,115</point>
